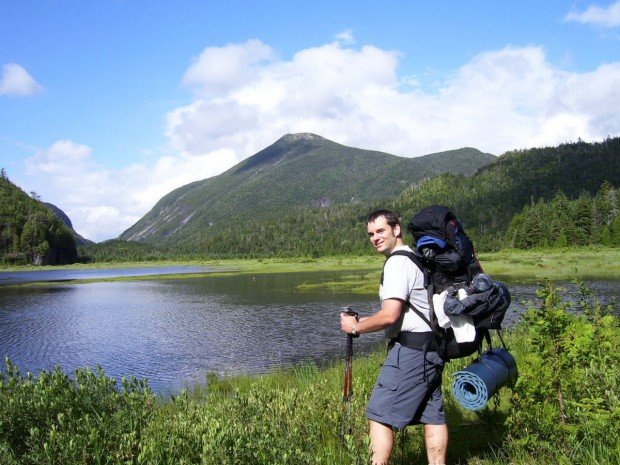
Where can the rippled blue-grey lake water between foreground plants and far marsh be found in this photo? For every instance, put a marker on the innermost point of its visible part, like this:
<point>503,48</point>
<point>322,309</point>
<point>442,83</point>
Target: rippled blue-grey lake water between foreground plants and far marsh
<point>174,332</point>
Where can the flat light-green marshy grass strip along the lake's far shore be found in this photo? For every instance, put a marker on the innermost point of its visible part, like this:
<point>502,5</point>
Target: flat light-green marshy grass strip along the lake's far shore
<point>588,263</point>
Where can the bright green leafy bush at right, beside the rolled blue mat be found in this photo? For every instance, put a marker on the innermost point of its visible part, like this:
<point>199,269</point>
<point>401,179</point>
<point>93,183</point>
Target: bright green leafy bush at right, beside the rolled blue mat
<point>567,392</point>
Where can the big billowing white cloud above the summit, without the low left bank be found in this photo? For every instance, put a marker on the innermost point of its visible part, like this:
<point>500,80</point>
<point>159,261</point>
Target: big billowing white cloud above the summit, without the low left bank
<point>500,100</point>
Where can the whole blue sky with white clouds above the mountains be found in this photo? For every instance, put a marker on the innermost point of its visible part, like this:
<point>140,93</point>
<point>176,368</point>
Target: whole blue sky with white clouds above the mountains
<point>106,106</point>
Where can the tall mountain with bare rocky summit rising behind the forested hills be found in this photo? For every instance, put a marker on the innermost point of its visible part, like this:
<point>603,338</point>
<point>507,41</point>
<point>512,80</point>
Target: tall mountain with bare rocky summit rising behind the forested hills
<point>299,170</point>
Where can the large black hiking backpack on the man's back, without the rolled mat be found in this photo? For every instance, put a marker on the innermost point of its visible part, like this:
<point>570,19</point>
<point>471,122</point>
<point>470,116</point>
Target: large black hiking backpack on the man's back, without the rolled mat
<point>446,255</point>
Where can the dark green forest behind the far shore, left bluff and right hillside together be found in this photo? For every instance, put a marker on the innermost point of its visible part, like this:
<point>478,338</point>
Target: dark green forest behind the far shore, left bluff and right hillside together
<point>551,197</point>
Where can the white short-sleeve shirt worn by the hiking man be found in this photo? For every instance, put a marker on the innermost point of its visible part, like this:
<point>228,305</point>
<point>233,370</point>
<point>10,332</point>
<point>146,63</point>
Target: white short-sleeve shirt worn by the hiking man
<point>403,280</point>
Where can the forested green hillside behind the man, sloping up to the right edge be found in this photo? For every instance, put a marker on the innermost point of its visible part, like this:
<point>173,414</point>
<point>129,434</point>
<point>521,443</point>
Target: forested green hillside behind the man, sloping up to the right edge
<point>547,186</point>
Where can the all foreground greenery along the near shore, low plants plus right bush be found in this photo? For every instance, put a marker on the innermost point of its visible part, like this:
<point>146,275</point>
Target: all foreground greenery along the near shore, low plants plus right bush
<point>564,409</point>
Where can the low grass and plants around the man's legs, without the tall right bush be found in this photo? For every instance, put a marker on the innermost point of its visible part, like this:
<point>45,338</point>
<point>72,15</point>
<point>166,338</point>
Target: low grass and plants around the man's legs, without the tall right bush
<point>294,416</point>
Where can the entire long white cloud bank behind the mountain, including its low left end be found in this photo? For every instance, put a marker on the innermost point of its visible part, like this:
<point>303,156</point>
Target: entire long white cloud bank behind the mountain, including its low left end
<point>246,98</point>
